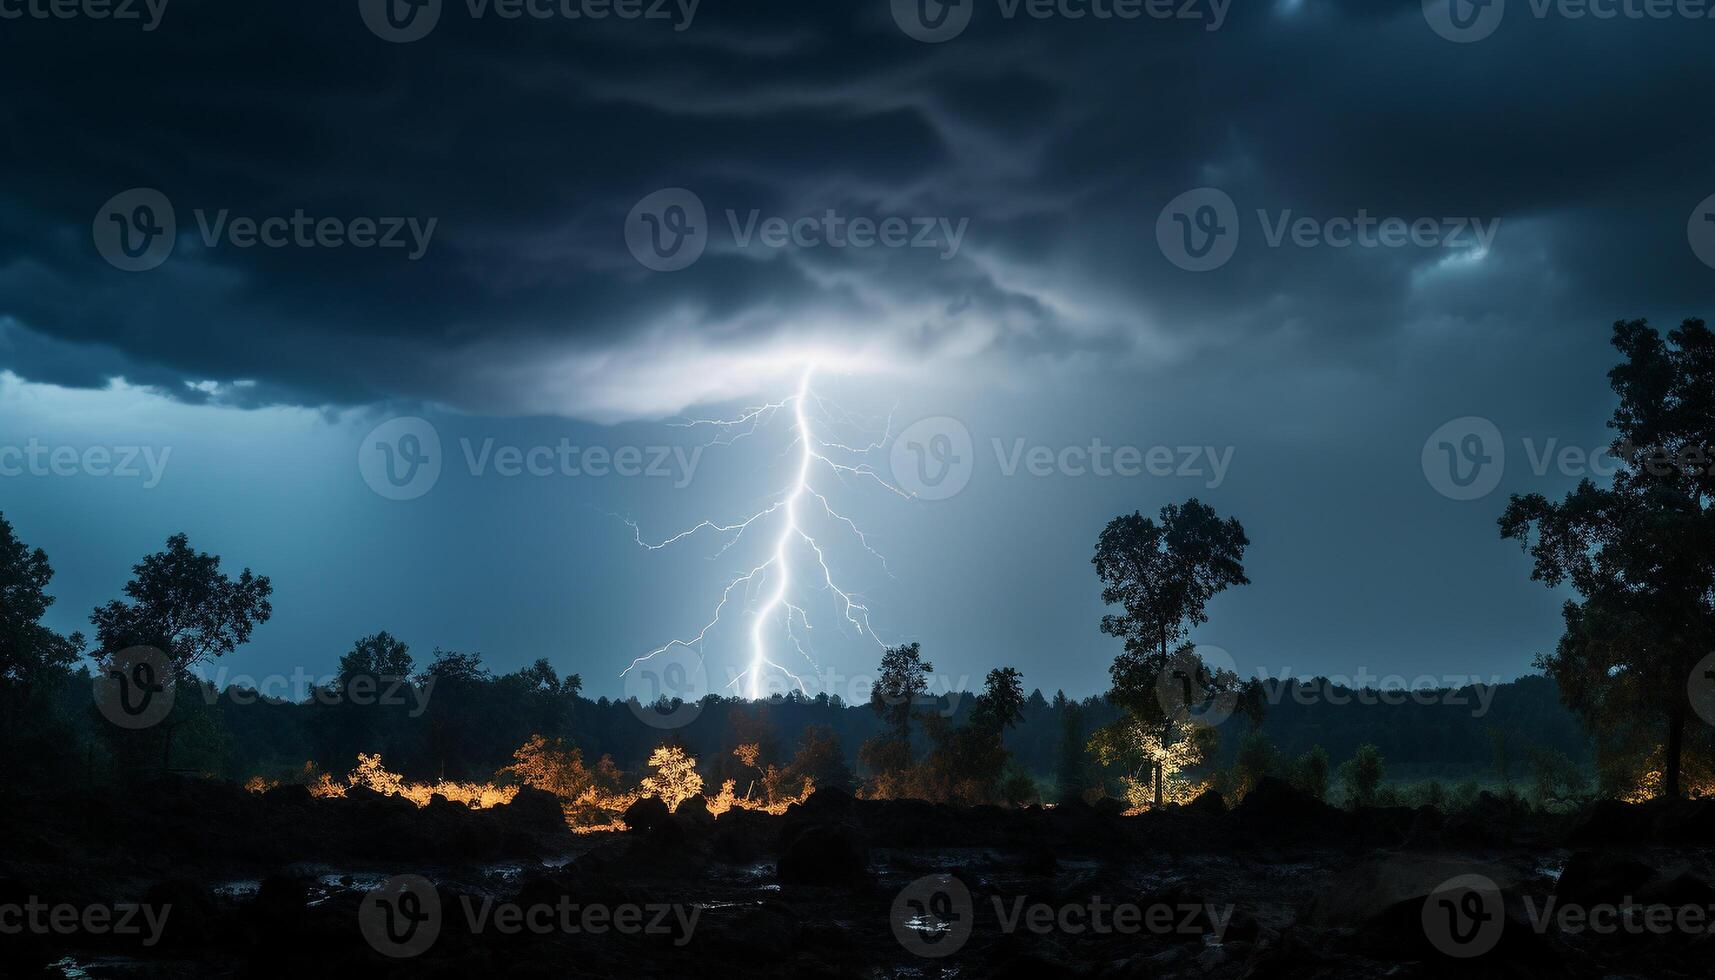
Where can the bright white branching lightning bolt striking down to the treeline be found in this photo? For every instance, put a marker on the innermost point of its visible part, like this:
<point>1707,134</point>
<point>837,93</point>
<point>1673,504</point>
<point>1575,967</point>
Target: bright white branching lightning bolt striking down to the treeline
<point>778,615</point>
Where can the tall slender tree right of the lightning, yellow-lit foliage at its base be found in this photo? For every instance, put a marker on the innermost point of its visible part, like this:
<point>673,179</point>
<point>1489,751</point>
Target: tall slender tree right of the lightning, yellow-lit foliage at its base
<point>1164,576</point>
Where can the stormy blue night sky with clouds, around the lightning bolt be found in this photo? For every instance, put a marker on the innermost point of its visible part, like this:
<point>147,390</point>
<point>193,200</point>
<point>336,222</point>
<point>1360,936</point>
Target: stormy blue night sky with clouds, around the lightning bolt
<point>1273,255</point>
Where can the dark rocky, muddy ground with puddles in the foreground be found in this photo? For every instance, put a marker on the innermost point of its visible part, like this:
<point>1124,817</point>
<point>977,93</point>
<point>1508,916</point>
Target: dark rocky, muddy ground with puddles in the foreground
<point>1280,886</point>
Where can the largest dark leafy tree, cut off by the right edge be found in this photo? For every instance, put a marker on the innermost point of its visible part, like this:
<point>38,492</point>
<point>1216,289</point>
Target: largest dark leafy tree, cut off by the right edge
<point>1640,554</point>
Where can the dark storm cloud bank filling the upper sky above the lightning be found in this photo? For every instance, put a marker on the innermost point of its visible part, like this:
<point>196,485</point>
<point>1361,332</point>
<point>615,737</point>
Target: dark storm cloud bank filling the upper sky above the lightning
<point>1059,142</point>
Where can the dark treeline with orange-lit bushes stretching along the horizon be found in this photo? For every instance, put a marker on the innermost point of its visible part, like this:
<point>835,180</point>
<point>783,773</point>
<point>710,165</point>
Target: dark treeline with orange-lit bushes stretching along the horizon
<point>450,717</point>
